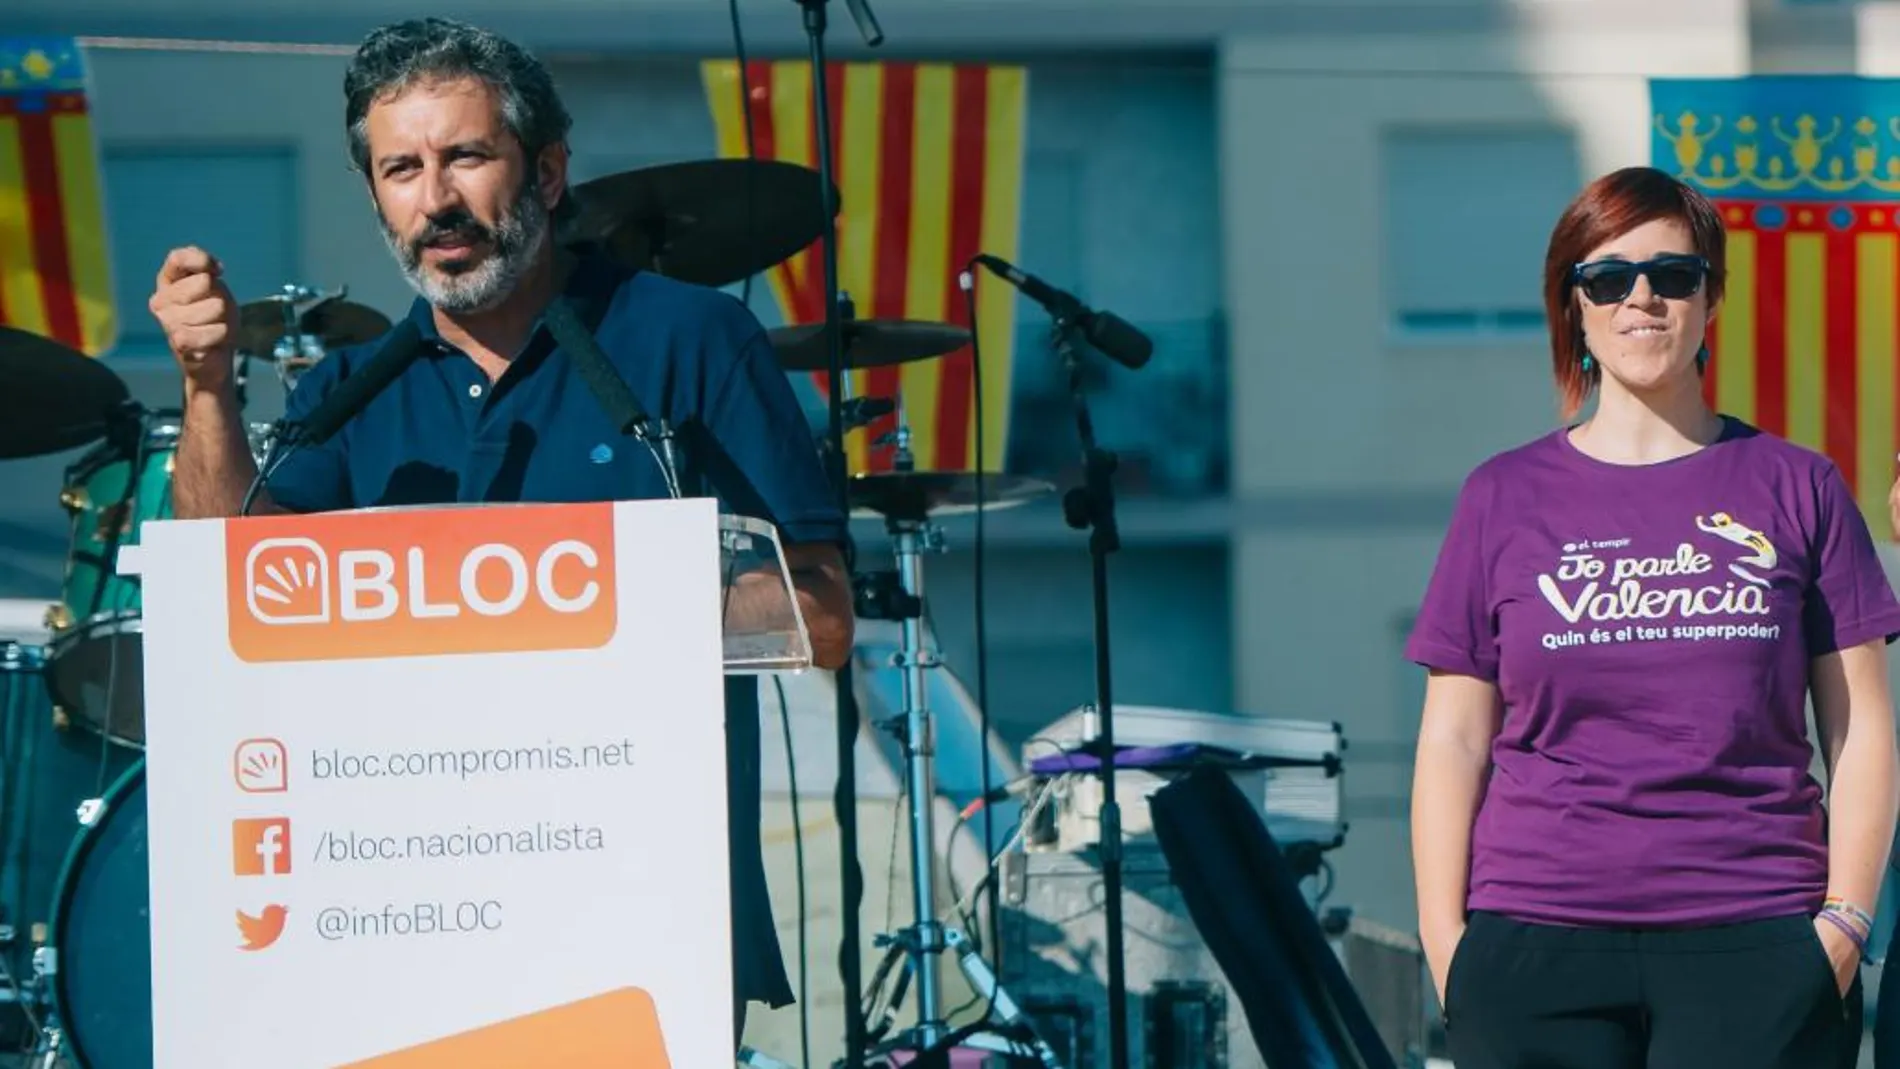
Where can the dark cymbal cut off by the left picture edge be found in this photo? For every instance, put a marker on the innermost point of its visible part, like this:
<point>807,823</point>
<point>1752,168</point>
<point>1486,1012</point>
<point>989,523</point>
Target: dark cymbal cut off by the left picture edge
<point>54,400</point>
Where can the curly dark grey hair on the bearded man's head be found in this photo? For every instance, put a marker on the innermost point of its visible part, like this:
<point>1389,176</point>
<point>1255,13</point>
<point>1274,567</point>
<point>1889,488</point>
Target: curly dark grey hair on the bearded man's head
<point>428,50</point>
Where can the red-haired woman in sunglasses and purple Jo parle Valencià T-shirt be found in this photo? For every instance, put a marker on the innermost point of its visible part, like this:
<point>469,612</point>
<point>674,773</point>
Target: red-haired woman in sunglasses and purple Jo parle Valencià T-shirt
<point>1622,855</point>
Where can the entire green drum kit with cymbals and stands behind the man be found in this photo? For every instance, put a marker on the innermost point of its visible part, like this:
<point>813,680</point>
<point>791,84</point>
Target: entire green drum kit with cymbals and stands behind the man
<point>75,926</point>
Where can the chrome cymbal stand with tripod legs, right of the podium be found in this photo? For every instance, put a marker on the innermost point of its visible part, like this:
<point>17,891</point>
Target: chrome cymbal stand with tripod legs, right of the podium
<point>900,595</point>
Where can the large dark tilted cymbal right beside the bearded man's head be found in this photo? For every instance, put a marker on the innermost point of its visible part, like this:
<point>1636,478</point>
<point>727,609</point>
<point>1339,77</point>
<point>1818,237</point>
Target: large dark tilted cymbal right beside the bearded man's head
<point>691,221</point>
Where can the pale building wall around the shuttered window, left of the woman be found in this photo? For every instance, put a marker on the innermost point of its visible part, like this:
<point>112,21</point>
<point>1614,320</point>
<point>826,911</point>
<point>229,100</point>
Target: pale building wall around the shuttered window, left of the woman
<point>1331,405</point>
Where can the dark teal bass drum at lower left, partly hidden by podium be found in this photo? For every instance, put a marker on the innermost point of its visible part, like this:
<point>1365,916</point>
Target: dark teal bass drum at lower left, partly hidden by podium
<point>104,939</point>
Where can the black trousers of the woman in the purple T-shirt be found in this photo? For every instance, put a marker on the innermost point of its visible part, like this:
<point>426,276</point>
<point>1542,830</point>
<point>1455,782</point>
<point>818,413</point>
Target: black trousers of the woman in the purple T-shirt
<point>1757,996</point>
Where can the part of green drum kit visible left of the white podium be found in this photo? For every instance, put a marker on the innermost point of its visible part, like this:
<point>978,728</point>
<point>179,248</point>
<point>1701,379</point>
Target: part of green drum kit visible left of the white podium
<point>75,939</point>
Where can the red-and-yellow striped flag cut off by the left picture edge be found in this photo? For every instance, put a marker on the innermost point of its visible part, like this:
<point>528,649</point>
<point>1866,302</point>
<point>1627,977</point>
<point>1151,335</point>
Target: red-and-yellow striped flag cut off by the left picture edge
<point>54,255</point>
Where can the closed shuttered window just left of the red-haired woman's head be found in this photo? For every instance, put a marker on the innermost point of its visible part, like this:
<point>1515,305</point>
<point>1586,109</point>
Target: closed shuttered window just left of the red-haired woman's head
<point>1468,216</point>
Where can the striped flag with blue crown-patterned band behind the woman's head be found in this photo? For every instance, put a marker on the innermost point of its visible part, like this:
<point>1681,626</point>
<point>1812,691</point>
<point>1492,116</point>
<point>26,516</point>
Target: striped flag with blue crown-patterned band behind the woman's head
<point>1806,172</point>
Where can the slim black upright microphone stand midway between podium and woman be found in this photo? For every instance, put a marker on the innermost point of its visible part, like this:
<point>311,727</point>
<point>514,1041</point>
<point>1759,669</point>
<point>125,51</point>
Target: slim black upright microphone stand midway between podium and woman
<point>1092,508</point>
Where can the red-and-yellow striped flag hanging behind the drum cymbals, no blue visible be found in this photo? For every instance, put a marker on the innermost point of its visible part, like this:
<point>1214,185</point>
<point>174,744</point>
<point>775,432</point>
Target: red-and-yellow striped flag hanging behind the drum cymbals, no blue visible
<point>928,160</point>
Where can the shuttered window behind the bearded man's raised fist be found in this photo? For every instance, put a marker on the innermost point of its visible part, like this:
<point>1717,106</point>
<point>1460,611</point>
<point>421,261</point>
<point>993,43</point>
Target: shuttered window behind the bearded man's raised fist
<point>237,202</point>
